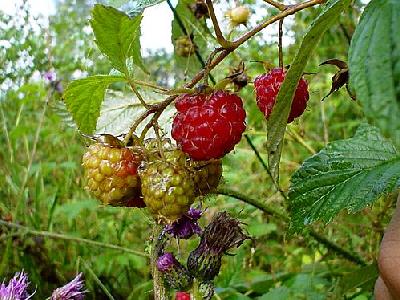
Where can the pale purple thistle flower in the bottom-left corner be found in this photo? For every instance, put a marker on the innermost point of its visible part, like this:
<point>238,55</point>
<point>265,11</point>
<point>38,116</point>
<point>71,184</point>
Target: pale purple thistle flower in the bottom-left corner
<point>16,288</point>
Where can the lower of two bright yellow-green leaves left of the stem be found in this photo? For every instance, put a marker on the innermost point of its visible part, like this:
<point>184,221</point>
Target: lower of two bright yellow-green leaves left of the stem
<point>84,97</point>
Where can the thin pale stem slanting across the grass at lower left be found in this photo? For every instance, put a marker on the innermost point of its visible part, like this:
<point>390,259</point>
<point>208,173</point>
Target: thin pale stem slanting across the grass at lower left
<point>52,235</point>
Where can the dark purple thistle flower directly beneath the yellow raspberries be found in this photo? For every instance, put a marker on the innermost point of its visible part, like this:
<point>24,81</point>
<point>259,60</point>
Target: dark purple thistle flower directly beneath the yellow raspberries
<point>186,226</point>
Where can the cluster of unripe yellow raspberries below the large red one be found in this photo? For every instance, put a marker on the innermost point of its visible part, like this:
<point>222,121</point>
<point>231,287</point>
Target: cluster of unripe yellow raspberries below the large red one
<point>161,177</point>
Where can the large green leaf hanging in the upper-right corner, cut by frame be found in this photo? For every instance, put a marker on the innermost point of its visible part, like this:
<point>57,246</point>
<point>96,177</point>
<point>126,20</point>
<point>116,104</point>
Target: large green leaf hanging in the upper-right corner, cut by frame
<point>374,65</point>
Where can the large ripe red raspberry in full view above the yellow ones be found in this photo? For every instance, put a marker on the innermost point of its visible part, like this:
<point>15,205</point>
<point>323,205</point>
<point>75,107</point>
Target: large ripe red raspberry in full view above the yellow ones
<point>208,126</point>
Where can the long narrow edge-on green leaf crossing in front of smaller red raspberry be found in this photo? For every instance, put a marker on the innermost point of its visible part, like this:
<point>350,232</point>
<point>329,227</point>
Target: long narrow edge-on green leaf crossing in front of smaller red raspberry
<point>278,119</point>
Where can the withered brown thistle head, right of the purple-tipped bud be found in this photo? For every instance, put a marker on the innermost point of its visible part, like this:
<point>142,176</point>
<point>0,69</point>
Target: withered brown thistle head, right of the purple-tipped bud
<point>222,234</point>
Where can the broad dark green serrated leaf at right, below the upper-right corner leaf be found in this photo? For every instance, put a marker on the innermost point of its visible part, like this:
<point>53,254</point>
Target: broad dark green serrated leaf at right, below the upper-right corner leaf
<point>349,174</point>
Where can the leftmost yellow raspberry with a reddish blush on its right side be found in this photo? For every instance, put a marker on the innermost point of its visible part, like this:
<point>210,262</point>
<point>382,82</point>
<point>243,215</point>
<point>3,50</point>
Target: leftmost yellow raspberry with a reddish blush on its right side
<point>111,174</point>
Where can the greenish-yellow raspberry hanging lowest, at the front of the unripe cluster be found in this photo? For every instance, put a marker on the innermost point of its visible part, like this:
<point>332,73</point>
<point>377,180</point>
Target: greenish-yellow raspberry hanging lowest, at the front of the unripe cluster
<point>167,188</point>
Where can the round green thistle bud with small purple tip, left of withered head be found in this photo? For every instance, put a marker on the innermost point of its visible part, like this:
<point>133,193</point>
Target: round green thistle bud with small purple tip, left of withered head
<point>175,275</point>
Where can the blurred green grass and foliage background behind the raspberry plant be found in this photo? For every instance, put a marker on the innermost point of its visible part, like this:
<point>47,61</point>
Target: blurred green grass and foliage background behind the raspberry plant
<point>59,229</point>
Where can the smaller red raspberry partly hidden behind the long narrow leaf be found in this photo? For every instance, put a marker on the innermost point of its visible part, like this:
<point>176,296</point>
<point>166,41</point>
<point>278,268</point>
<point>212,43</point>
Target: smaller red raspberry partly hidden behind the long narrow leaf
<point>267,87</point>
